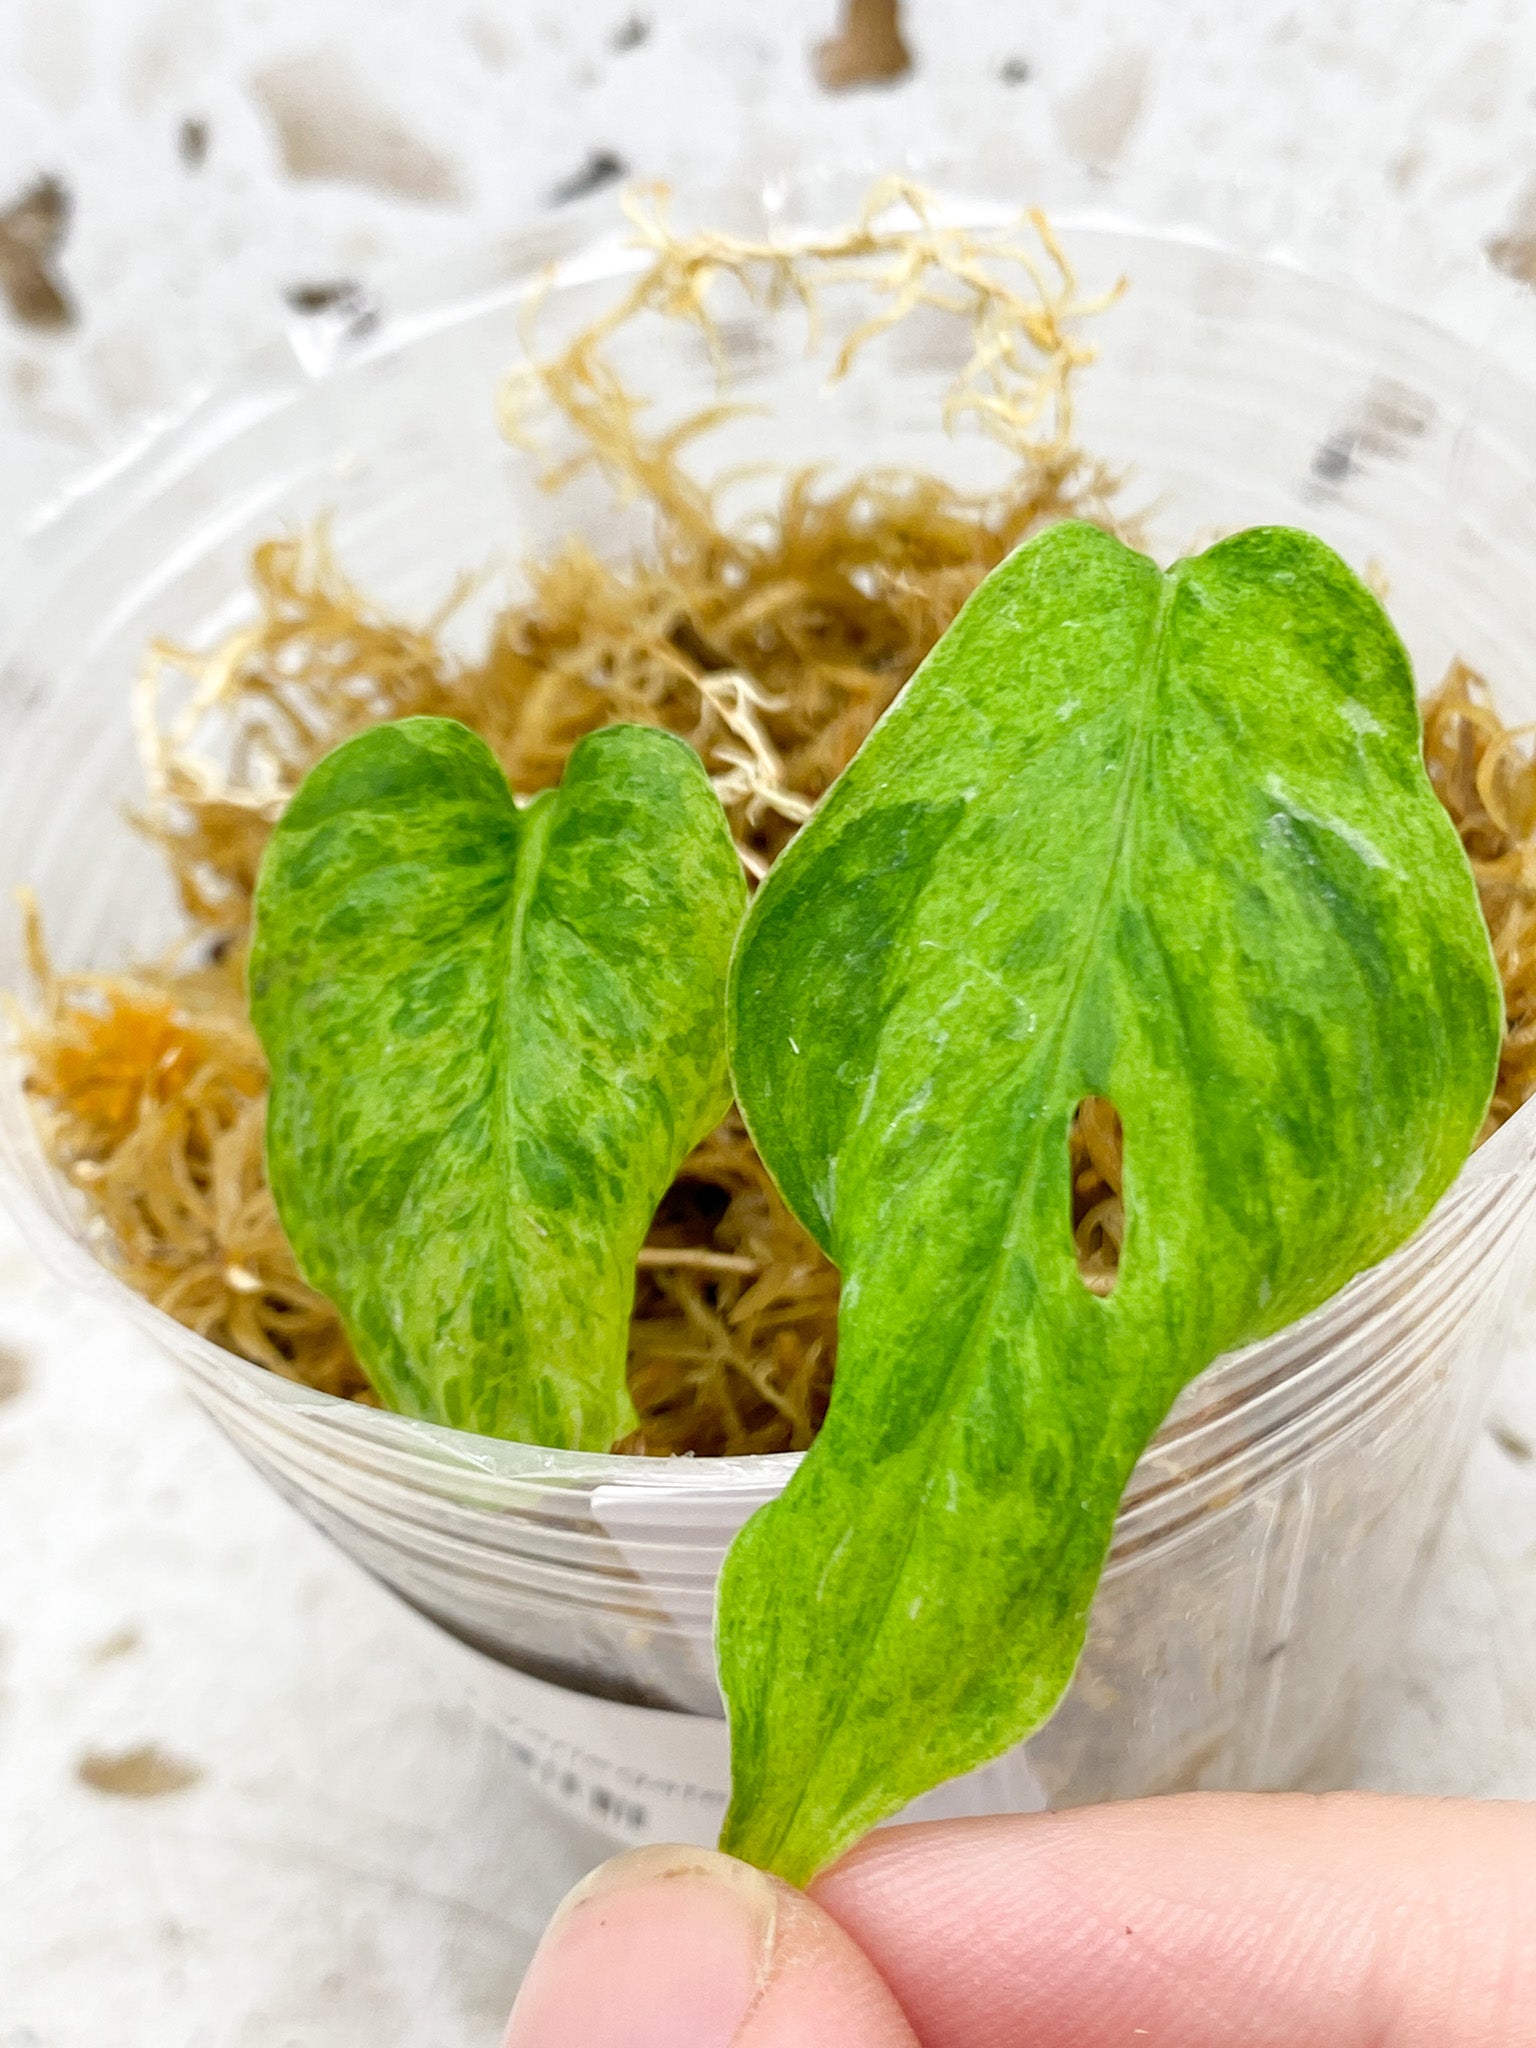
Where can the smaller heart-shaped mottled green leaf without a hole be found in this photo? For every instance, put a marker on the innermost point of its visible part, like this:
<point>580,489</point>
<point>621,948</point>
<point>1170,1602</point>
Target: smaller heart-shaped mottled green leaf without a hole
<point>495,1033</point>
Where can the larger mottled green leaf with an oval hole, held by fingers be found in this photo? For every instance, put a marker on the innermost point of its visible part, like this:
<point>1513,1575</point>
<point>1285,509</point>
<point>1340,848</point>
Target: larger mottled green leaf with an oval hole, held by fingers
<point>1152,837</point>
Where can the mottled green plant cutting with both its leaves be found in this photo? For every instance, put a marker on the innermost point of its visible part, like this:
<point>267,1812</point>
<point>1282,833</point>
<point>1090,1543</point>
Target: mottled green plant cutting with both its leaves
<point>1154,839</point>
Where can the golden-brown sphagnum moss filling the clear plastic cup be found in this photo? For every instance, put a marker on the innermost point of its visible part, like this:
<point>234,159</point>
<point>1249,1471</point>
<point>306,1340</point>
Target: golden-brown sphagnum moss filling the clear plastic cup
<point>773,648</point>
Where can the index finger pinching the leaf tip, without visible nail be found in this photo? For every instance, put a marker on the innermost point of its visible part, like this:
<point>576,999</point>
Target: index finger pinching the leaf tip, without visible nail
<point>1199,1922</point>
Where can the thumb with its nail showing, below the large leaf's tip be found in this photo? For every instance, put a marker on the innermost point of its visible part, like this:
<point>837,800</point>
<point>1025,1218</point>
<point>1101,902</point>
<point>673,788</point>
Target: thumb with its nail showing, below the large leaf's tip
<point>685,1949</point>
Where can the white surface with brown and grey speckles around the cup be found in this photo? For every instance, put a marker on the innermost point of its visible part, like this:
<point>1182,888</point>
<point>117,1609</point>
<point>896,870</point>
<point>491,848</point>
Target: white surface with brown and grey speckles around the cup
<point>357,1863</point>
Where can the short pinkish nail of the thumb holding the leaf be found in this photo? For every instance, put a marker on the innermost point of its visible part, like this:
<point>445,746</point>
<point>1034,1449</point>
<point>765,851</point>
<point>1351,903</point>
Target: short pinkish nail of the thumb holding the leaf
<point>660,1949</point>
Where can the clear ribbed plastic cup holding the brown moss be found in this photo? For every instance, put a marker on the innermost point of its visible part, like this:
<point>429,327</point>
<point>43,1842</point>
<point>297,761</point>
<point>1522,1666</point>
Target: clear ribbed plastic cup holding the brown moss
<point>1273,1535</point>
